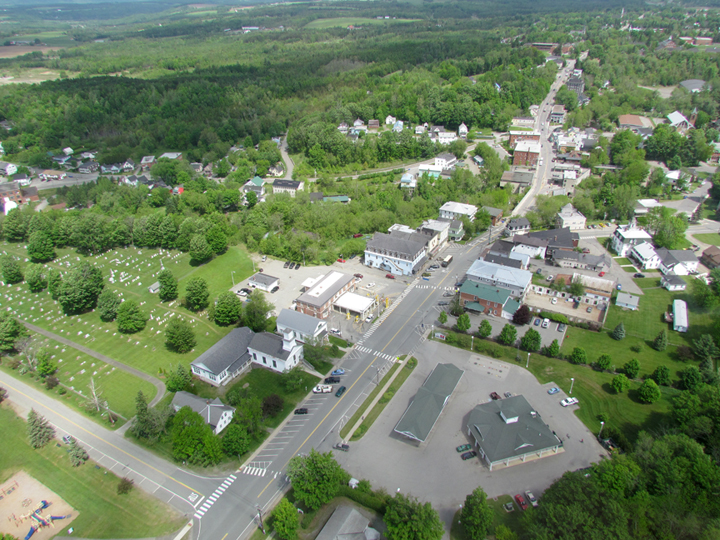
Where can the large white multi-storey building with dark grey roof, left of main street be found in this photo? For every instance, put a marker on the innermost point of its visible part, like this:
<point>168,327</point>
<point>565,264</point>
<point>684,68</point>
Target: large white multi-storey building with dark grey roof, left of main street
<point>395,254</point>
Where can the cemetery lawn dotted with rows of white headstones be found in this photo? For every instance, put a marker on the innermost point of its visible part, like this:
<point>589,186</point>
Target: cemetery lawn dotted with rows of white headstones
<point>133,271</point>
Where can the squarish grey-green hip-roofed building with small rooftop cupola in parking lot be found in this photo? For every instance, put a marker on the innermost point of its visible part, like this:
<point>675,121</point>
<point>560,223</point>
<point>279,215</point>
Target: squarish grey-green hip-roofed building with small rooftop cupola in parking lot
<point>510,431</point>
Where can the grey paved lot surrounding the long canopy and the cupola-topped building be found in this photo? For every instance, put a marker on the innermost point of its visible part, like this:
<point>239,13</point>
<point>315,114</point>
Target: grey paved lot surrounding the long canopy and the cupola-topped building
<point>433,471</point>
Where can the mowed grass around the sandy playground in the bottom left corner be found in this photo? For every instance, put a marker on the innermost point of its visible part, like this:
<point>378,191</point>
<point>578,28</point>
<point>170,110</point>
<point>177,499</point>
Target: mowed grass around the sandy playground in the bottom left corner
<point>91,491</point>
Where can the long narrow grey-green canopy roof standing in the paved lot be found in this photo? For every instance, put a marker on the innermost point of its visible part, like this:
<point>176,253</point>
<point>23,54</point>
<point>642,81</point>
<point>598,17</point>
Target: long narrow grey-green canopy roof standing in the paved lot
<point>419,418</point>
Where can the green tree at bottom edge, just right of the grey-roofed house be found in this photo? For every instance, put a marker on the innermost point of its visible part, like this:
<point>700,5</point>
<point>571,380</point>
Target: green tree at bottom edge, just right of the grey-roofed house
<point>408,519</point>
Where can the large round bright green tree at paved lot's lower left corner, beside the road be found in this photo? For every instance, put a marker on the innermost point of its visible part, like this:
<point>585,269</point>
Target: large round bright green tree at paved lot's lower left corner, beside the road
<point>315,478</point>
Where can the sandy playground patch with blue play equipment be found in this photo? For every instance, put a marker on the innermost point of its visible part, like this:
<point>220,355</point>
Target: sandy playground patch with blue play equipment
<point>20,497</point>
